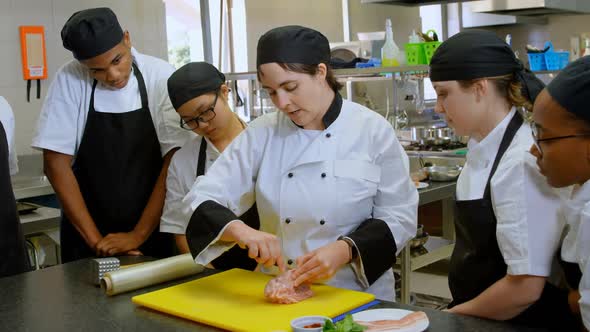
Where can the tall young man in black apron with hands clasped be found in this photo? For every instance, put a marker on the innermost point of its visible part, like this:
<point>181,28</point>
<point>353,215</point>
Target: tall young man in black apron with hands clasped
<point>107,131</point>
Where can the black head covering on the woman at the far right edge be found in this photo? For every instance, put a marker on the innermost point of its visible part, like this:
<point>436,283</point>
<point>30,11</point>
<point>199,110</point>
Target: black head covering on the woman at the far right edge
<point>571,88</point>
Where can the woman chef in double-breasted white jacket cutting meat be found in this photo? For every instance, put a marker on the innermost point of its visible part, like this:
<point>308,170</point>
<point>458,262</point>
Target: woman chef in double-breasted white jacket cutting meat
<point>329,176</point>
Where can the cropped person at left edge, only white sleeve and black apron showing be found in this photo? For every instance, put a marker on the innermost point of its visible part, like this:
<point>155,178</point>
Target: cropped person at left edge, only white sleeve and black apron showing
<point>14,257</point>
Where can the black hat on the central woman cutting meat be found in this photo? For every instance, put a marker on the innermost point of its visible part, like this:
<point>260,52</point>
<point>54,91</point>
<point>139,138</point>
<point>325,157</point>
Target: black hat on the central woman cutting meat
<point>293,44</point>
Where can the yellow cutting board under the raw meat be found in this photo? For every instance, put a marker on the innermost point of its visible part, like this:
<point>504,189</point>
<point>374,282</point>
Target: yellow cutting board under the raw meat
<point>234,300</point>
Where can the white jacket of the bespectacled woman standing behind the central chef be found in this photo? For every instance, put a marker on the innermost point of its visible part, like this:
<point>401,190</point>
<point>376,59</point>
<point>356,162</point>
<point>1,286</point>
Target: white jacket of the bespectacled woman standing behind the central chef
<point>181,177</point>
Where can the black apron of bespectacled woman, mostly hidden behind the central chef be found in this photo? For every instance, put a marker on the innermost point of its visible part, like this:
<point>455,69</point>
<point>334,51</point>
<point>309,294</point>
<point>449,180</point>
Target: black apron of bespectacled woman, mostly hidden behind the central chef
<point>236,256</point>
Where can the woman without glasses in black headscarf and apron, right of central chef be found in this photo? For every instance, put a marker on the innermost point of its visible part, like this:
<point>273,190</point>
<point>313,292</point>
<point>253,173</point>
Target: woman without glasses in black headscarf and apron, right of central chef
<point>507,228</point>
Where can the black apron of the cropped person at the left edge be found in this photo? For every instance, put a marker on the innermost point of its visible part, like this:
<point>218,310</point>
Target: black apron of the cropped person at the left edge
<point>13,252</point>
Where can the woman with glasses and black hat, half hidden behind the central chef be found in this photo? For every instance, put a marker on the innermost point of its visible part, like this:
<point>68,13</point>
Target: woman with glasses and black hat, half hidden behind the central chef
<point>200,96</point>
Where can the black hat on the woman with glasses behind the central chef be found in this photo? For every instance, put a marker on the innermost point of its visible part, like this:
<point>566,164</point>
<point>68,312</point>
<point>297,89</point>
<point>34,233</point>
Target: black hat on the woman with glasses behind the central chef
<point>192,80</point>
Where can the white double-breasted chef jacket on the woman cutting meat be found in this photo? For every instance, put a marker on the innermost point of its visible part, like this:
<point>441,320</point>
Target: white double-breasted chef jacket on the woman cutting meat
<point>337,178</point>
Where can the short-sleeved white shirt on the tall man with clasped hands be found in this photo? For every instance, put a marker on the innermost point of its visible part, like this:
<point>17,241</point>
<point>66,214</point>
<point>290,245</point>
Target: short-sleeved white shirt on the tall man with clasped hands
<point>65,110</point>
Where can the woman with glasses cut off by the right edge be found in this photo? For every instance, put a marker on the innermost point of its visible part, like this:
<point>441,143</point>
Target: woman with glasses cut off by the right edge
<point>562,147</point>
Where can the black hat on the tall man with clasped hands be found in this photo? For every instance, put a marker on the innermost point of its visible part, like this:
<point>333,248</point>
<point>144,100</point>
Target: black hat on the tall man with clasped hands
<point>91,32</point>
